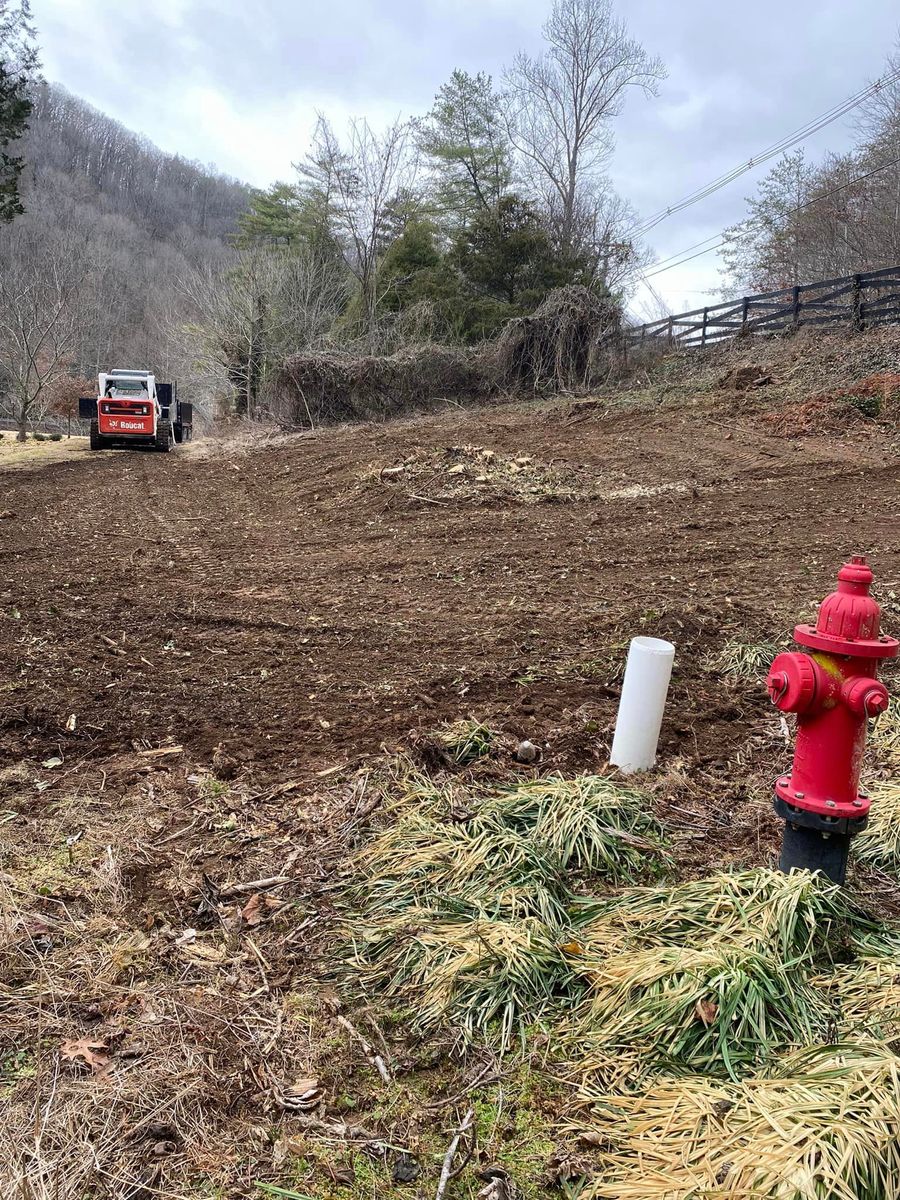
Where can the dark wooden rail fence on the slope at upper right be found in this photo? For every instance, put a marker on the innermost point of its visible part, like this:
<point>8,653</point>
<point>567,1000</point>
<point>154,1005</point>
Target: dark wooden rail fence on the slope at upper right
<point>871,298</point>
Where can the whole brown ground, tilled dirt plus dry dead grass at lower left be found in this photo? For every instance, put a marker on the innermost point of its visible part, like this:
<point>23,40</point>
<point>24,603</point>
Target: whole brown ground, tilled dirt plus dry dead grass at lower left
<point>205,655</point>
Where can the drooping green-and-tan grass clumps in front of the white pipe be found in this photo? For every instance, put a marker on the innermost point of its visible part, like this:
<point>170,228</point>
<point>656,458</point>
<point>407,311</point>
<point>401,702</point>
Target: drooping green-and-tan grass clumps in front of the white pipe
<point>469,897</point>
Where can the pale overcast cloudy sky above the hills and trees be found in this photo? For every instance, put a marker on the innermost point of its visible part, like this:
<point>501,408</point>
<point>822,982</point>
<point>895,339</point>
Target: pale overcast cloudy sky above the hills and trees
<point>237,85</point>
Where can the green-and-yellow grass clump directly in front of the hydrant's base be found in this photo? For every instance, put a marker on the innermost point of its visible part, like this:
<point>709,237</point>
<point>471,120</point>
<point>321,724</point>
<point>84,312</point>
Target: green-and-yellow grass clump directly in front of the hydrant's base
<point>713,975</point>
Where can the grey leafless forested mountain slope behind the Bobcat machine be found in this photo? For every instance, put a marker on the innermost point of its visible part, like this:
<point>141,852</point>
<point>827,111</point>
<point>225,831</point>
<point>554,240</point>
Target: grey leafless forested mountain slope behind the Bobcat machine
<point>112,226</point>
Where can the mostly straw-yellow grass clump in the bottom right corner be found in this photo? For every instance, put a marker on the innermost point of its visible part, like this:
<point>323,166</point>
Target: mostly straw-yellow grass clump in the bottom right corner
<point>823,1123</point>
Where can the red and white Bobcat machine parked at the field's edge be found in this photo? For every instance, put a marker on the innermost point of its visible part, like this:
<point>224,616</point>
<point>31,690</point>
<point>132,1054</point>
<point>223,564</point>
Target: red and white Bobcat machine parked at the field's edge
<point>133,410</point>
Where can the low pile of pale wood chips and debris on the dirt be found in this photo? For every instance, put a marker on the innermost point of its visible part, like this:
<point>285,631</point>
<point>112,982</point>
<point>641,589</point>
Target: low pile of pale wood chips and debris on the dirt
<point>473,475</point>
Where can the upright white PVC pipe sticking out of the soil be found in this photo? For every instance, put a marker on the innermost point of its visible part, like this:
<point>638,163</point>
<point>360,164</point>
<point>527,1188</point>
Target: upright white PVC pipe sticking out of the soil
<point>644,700</point>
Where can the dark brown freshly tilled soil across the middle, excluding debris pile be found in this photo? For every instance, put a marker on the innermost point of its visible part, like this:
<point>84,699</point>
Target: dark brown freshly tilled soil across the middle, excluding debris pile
<point>268,605</point>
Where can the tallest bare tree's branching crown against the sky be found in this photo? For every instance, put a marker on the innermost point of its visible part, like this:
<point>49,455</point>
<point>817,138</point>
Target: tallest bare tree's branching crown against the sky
<point>561,104</point>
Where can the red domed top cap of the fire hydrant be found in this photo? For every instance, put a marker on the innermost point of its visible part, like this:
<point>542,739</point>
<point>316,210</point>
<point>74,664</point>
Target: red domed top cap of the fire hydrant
<point>850,620</point>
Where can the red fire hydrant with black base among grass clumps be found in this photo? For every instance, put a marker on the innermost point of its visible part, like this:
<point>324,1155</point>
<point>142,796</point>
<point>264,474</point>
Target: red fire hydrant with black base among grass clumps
<point>833,691</point>
